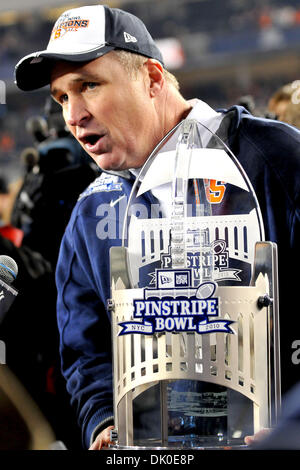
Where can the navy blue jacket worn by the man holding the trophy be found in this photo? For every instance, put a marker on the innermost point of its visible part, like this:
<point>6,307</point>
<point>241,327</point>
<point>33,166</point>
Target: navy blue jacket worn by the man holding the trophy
<point>269,152</point>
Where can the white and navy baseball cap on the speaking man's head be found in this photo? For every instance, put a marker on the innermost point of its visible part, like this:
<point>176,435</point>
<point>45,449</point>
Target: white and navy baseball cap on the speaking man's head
<point>83,34</point>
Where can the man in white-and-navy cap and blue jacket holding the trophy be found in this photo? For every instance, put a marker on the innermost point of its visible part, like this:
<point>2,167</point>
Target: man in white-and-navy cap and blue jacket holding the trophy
<point>119,102</point>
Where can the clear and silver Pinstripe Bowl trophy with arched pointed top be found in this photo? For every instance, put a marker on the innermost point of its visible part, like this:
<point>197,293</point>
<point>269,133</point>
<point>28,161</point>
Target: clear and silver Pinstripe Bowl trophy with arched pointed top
<point>194,302</point>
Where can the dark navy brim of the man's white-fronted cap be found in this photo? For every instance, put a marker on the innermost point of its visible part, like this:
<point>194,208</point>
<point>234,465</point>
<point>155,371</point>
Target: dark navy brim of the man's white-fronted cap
<point>34,71</point>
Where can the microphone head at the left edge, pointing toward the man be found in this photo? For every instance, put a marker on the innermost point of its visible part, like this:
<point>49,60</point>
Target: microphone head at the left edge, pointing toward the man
<point>8,273</point>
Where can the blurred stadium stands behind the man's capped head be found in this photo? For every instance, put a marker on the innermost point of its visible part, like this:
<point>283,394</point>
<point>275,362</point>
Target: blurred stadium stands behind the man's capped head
<point>220,51</point>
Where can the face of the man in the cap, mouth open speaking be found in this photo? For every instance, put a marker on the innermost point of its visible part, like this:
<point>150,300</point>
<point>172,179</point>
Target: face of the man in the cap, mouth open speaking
<point>112,116</point>
